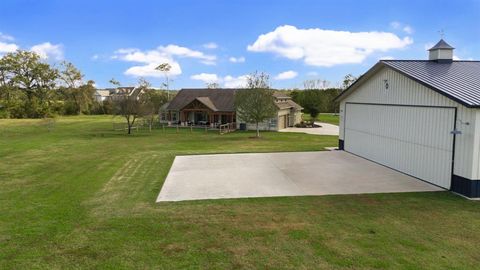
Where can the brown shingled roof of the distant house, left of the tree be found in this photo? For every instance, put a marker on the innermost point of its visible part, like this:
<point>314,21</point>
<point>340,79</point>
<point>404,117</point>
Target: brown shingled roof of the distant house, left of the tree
<point>220,99</point>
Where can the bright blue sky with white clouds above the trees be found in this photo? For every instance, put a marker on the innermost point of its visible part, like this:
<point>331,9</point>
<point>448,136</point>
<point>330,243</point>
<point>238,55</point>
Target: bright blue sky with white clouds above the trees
<point>223,41</point>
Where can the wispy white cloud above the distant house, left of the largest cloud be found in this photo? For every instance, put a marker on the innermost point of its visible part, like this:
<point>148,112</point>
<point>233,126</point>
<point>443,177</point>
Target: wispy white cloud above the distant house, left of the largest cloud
<point>162,54</point>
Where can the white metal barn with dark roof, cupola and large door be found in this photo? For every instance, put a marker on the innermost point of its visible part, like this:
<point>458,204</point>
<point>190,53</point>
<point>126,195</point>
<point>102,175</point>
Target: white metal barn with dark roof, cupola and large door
<point>420,117</point>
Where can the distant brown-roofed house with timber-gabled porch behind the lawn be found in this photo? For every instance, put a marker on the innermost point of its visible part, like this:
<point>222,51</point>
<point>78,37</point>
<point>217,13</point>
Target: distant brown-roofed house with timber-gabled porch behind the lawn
<point>213,107</point>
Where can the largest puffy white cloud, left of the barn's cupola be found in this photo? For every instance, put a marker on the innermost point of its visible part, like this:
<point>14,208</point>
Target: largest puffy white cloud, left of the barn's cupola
<point>318,47</point>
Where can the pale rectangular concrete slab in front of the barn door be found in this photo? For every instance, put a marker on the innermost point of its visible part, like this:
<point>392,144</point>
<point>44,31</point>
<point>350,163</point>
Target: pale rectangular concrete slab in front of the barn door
<point>281,174</point>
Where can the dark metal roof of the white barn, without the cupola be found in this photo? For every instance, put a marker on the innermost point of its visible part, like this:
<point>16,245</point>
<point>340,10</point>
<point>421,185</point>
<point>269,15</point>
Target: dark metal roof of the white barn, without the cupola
<point>457,80</point>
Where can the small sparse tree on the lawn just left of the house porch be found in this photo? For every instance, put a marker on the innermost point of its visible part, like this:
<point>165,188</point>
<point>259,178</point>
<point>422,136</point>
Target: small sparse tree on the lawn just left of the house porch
<point>129,103</point>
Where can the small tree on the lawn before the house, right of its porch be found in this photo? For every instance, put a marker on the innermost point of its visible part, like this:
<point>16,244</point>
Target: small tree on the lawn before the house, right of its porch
<point>256,103</point>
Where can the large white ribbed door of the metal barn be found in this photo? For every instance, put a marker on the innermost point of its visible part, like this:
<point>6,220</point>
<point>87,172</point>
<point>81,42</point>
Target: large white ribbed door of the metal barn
<point>414,140</point>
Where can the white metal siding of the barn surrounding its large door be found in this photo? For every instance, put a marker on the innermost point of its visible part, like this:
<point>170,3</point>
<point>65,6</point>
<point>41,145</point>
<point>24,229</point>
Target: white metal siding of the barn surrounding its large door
<point>405,91</point>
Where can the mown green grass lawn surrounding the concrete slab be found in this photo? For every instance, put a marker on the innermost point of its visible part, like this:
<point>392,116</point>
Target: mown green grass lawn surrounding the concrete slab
<point>83,196</point>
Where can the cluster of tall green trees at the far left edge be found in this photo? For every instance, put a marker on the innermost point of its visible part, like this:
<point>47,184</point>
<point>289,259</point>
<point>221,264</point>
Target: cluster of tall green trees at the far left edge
<point>31,88</point>
